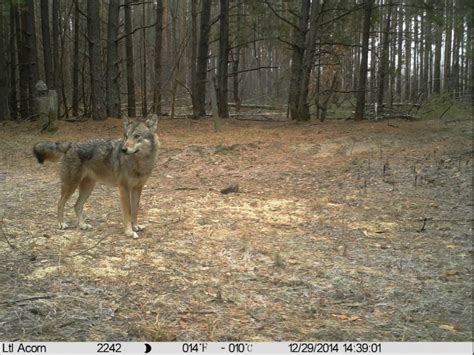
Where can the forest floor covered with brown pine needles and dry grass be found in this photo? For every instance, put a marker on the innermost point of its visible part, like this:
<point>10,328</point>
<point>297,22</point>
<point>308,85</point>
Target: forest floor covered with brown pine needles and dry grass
<point>340,231</point>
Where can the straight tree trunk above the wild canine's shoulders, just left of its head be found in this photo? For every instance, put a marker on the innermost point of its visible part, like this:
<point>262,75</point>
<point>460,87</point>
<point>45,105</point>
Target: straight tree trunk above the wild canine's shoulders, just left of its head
<point>112,73</point>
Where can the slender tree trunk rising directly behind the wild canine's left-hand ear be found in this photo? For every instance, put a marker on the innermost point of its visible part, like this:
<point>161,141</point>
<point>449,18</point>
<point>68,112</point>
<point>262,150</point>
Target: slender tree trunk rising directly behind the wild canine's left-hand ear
<point>130,60</point>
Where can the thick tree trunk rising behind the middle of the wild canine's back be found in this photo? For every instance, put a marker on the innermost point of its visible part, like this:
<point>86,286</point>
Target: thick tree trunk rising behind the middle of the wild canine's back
<point>99,111</point>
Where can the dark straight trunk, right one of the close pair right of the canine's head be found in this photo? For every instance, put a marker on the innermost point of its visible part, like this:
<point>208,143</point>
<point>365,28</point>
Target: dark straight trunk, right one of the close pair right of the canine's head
<point>222,68</point>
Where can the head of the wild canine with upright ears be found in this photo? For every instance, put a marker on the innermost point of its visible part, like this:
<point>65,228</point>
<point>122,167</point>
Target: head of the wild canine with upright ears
<point>140,137</point>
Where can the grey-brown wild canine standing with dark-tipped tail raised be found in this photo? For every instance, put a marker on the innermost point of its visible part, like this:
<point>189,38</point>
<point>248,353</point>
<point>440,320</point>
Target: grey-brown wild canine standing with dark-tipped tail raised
<point>126,163</point>
